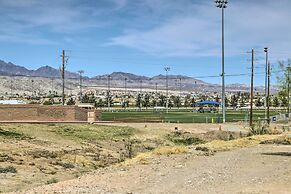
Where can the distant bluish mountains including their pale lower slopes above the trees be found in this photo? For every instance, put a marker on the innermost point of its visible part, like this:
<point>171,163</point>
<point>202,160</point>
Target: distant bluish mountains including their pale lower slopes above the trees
<point>175,82</point>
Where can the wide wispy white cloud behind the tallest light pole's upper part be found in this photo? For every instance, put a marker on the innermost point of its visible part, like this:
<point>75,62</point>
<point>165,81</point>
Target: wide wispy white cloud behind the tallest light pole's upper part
<point>194,29</point>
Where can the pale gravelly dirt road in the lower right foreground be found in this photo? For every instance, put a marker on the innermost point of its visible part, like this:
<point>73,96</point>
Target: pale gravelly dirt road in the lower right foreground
<point>259,169</point>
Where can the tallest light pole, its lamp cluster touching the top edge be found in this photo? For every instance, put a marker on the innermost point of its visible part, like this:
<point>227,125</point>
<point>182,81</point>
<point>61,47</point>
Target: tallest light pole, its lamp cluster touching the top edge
<point>222,4</point>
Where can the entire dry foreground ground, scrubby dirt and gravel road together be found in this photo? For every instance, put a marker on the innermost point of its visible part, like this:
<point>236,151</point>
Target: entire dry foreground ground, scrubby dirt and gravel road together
<point>143,158</point>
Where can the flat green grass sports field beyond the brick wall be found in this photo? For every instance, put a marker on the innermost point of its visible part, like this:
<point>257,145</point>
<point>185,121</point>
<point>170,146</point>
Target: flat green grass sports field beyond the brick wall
<point>181,117</point>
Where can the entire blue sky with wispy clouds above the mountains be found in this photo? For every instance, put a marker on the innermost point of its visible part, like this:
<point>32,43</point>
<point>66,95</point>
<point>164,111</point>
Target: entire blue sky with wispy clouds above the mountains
<point>142,36</point>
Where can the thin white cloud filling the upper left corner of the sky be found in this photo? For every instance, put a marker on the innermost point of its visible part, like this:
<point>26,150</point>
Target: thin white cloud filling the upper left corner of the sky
<point>35,21</point>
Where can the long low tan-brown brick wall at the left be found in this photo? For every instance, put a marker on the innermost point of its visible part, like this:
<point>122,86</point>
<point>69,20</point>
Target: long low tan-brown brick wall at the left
<point>42,113</point>
